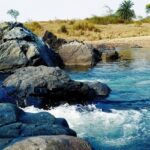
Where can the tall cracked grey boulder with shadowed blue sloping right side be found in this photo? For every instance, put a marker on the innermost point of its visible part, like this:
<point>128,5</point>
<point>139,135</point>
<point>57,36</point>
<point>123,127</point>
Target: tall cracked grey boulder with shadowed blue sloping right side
<point>20,47</point>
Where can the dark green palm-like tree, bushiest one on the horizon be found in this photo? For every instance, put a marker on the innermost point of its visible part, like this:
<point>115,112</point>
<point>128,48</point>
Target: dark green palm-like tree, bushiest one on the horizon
<point>125,10</point>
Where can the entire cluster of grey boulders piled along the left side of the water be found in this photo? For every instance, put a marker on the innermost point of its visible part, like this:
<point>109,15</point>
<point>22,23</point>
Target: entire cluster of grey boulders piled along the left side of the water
<point>36,79</point>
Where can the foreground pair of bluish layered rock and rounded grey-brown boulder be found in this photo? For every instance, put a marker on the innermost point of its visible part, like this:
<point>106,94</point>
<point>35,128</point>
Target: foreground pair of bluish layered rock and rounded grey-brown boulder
<point>16,126</point>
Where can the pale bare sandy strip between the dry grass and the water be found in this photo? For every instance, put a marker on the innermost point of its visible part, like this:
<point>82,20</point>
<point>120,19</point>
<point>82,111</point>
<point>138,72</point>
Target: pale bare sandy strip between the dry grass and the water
<point>141,41</point>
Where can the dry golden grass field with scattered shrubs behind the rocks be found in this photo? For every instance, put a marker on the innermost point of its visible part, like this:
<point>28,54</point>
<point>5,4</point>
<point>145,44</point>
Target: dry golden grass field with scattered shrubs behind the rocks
<point>92,29</point>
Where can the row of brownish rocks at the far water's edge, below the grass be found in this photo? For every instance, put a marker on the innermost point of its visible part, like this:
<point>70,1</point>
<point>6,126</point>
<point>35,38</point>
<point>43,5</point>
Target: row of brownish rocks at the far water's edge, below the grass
<point>75,53</point>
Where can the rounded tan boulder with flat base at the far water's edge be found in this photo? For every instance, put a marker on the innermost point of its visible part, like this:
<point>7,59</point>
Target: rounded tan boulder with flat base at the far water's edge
<point>78,54</point>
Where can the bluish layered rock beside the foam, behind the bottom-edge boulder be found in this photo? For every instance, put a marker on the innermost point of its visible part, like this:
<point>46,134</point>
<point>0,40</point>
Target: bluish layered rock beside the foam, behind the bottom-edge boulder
<point>15,124</point>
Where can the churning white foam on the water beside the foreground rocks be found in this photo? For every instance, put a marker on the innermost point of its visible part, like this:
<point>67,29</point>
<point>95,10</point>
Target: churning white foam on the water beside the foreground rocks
<point>117,128</point>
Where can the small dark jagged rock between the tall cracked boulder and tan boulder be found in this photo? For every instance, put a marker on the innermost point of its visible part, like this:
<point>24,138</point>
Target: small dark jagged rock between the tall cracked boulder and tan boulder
<point>53,41</point>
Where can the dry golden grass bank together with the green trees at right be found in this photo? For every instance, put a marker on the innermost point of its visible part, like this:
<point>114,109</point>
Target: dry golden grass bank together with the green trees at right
<point>117,24</point>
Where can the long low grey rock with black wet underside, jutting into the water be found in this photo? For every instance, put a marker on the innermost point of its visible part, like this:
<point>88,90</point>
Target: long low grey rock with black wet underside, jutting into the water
<point>42,86</point>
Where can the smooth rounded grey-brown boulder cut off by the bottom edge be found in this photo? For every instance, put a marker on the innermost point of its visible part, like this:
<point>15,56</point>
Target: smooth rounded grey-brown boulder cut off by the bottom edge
<point>50,143</point>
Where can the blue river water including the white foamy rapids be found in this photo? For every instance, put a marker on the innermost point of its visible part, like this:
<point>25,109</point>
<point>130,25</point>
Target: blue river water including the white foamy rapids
<point>122,122</point>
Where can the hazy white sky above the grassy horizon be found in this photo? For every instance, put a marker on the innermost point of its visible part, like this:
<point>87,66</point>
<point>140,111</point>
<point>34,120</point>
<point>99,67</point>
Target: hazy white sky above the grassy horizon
<point>63,9</point>
